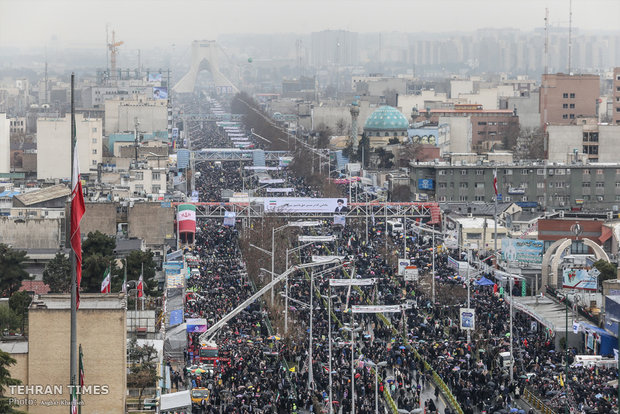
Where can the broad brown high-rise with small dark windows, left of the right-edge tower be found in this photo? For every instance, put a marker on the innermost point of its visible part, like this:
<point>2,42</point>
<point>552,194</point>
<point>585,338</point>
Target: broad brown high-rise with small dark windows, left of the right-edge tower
<point>564,98</point>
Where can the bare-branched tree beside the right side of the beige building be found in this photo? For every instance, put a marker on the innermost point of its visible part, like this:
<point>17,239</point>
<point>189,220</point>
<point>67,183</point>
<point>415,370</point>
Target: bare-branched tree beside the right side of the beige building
<point>143,370</point>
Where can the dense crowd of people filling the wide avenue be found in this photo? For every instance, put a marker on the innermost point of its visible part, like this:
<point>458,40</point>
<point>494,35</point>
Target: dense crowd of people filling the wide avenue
<point>263,372</point>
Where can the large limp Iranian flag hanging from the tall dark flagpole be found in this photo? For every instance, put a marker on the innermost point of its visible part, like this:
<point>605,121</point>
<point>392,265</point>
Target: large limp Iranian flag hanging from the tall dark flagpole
<point>77,211</point>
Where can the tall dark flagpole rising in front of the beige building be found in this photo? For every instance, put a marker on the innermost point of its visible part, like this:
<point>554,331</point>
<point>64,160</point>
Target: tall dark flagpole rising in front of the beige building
<point>73,346</point>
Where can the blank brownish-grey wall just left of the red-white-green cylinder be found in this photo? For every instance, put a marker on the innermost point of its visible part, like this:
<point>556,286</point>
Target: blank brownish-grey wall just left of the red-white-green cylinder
<point>151,222</point>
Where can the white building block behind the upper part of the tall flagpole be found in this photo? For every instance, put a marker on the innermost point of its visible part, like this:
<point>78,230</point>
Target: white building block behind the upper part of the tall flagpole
<point>54,146</point>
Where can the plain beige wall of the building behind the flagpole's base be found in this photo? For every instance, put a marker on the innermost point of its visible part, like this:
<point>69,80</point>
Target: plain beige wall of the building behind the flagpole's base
<point>102,333</point>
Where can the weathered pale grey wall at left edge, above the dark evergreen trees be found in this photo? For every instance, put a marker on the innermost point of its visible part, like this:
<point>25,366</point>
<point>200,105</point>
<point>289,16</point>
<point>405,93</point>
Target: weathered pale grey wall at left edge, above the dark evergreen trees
<point>31,233</point>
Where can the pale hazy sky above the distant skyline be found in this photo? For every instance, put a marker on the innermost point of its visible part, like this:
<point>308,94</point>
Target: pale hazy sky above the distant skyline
<point>145,23</point>
